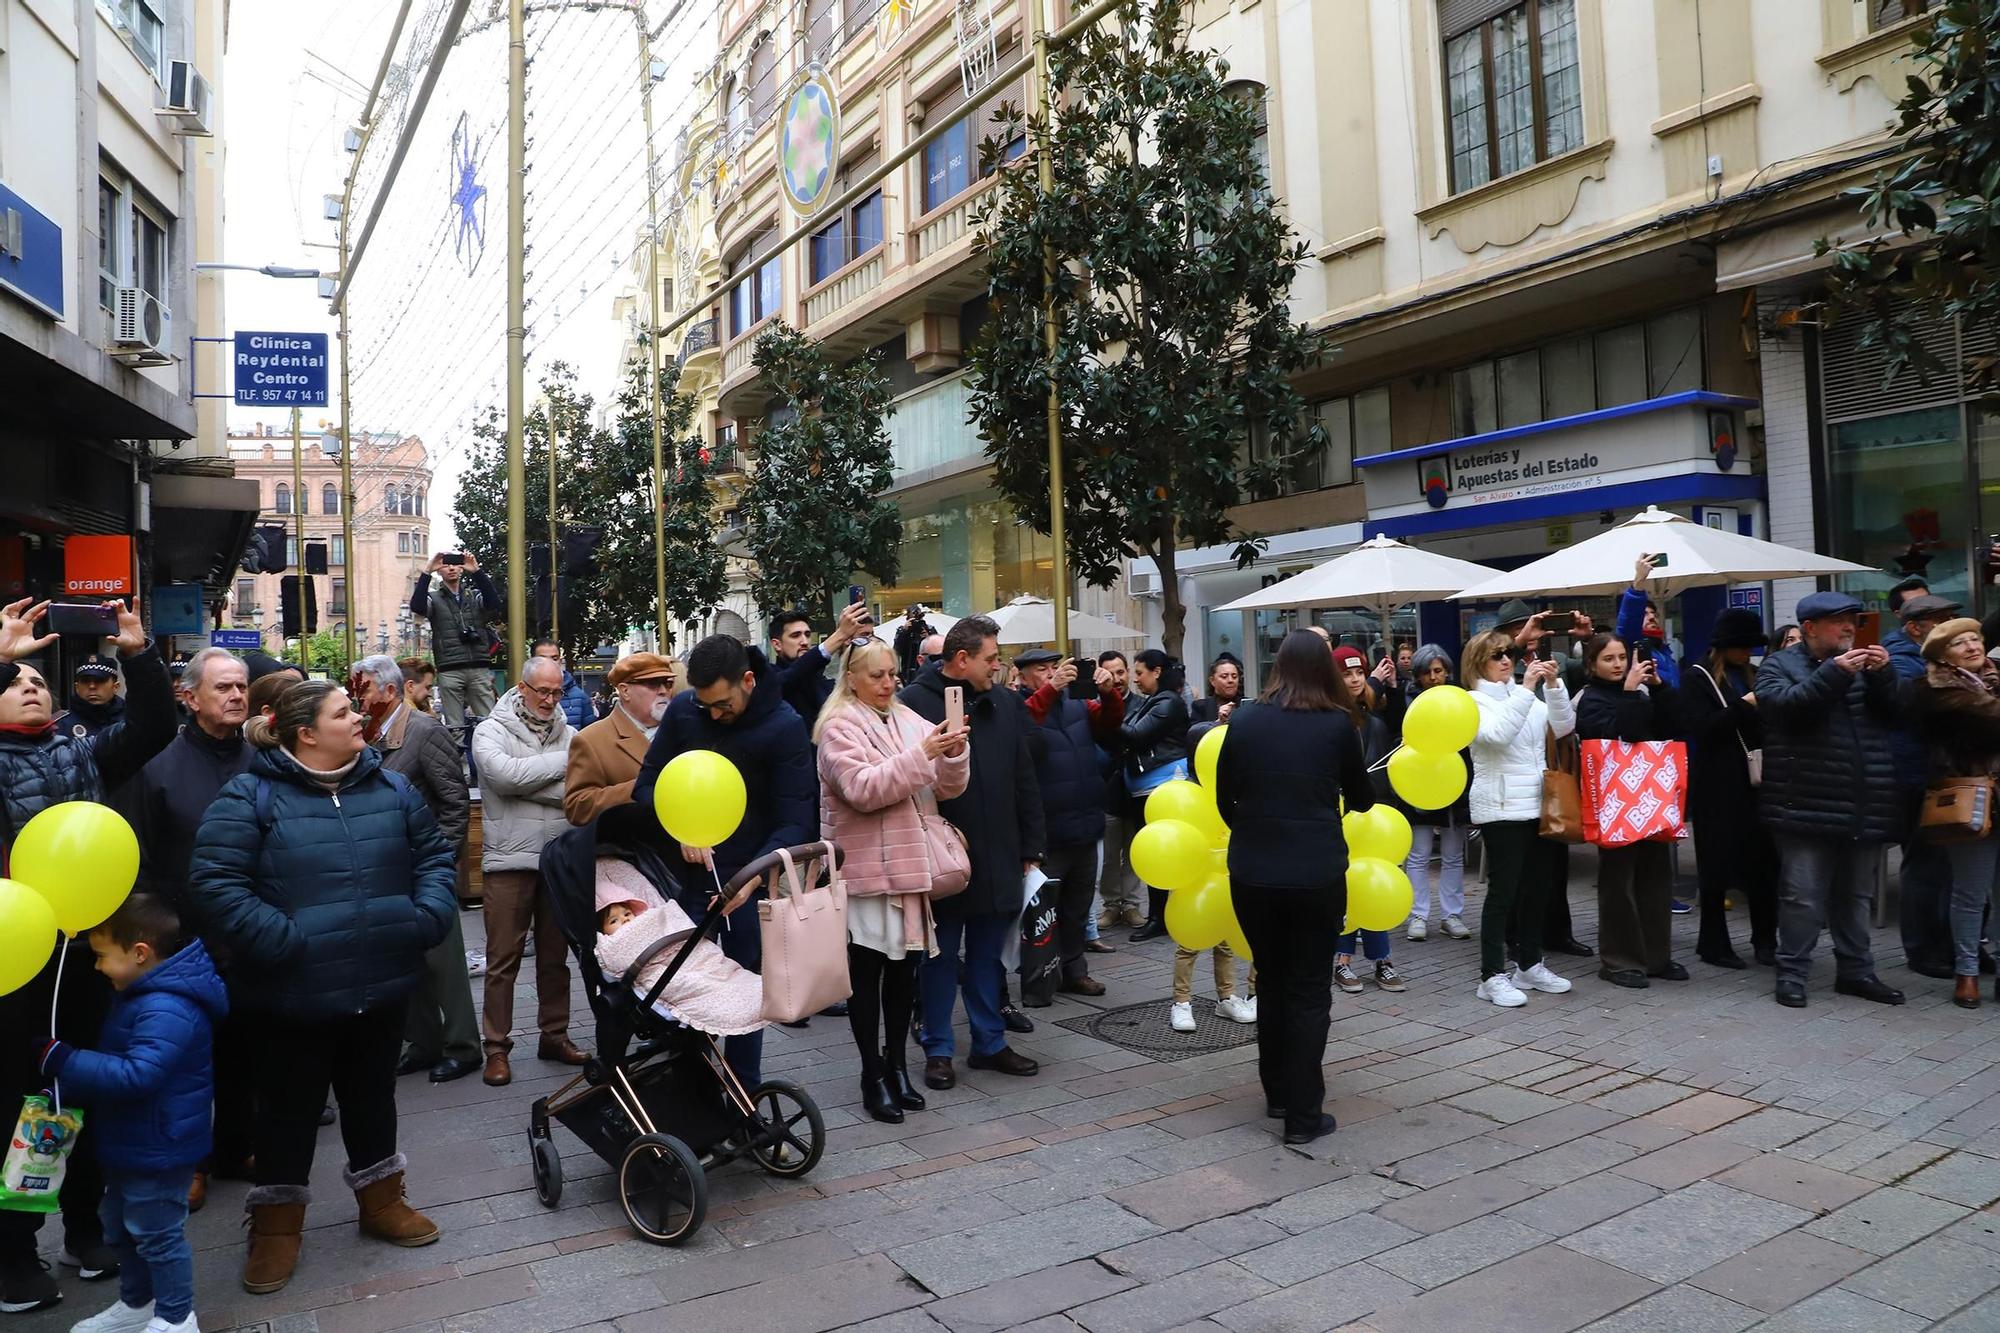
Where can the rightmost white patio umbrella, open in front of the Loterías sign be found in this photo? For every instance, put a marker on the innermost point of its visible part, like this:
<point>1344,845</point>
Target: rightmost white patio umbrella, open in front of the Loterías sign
<point>1697,557</point>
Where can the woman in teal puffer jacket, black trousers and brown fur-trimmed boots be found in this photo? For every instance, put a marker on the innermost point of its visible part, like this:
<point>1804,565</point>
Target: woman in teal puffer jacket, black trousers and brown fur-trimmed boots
<point>327,880</point>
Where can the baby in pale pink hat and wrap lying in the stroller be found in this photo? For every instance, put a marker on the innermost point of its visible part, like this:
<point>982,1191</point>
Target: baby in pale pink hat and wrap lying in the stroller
<point>709,994</point>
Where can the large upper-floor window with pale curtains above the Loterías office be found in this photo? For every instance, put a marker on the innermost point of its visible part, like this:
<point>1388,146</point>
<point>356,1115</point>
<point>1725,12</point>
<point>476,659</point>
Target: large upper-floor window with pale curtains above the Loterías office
<point>1513,87</point>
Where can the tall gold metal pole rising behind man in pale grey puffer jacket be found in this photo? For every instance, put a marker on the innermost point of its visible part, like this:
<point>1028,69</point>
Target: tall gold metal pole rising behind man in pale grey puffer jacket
<point>517,333</point>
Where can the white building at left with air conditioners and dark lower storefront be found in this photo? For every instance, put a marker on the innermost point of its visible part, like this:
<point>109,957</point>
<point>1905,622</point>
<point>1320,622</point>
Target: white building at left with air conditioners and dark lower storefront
<point>103,217</point>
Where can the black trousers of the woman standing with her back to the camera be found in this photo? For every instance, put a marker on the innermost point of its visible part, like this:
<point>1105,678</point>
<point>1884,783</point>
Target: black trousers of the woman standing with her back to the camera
<point>1293,936</point>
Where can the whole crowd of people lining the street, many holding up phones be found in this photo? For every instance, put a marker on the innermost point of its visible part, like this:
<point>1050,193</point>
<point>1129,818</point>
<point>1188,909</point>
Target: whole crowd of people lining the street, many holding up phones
<point>295,942</point>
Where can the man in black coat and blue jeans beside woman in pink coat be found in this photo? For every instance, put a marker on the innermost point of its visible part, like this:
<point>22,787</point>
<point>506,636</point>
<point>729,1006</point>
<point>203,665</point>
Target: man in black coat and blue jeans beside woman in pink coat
<point>1001,816</point>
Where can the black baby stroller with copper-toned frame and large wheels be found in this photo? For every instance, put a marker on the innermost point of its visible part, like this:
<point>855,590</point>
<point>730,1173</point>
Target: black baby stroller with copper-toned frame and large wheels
<point>657,1100</point>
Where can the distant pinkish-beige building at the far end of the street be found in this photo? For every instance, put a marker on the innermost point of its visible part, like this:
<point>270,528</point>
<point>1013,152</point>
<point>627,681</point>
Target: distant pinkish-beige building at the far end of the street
<point>393,523</point>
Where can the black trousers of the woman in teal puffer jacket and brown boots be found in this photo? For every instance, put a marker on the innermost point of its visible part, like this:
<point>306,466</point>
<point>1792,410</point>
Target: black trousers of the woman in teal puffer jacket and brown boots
<point>299,1062</point>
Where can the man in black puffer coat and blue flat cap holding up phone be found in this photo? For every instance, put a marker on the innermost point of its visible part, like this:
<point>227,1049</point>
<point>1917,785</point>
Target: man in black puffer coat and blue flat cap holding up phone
<point>1829,794</point>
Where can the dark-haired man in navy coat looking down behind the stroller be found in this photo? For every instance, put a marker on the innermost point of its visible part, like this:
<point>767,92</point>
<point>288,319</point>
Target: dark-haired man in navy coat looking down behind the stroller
<point>737,710</point>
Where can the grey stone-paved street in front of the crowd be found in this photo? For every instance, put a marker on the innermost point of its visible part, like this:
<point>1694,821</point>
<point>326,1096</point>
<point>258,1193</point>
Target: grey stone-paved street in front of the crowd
<point>1687,1158</point>
